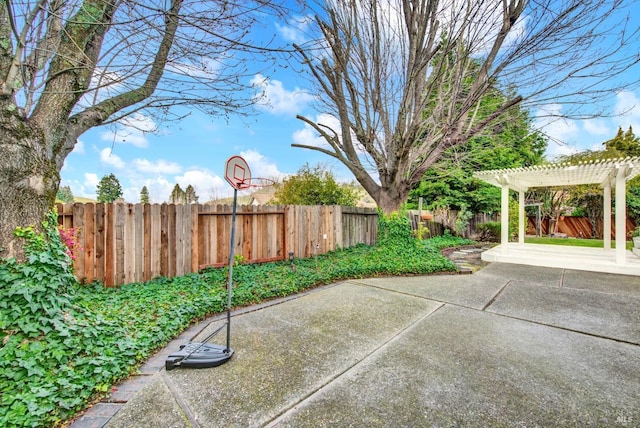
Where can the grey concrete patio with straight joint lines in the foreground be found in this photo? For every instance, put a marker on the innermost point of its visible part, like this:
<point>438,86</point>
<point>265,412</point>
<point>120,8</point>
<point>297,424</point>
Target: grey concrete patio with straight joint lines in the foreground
<point>510,345</point>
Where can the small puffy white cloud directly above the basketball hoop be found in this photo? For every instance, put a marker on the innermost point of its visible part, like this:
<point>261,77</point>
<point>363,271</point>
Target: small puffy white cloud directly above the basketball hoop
<point>277,99</point>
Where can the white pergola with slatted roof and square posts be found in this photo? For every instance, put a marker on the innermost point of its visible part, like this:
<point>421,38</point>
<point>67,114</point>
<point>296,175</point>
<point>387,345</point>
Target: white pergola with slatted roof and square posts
<point>608,173</point>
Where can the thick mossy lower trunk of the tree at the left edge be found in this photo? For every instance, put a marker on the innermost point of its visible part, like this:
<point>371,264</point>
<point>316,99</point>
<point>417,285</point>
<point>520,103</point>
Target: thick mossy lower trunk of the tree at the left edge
<point>29,180</point>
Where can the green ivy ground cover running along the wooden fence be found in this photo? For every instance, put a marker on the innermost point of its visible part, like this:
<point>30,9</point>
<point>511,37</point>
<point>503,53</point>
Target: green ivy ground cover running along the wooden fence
<point>64,345</point>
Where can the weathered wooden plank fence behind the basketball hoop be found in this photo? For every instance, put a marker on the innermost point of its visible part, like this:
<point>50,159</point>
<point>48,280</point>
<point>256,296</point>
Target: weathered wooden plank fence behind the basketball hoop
<point>124,243</point>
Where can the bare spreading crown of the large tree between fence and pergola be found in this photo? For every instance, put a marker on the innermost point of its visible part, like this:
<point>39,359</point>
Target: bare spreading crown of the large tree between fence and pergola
<point>405,80</point>
